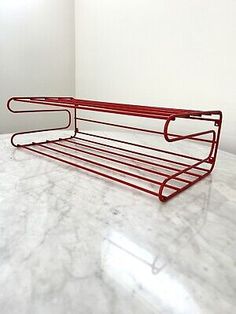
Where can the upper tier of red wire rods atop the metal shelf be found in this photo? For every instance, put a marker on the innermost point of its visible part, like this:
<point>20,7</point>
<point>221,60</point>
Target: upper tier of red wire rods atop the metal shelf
<point>116,108</point>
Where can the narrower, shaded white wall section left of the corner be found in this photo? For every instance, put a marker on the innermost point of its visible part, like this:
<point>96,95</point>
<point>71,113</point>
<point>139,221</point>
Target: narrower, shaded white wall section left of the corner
<point>37,54</point>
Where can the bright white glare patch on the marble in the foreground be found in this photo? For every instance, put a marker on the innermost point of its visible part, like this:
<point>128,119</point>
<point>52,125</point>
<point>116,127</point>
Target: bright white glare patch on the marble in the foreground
<point>136,271</point>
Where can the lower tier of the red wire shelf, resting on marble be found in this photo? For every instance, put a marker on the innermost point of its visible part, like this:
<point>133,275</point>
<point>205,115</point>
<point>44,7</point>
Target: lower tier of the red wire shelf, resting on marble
<point>163,174</point>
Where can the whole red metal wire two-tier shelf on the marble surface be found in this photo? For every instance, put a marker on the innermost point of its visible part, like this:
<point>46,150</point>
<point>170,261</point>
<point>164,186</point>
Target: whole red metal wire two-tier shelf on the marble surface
<point>167,173</point>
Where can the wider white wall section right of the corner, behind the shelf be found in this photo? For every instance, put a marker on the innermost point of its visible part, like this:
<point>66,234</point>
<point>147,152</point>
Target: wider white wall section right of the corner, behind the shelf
<point>163,52</point>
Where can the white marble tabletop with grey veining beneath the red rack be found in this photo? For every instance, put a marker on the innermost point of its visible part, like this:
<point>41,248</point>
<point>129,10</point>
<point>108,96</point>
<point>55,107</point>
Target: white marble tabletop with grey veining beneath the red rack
<point>73,243</point>
